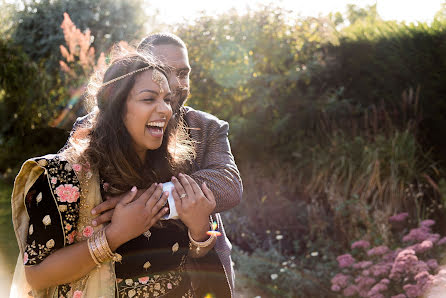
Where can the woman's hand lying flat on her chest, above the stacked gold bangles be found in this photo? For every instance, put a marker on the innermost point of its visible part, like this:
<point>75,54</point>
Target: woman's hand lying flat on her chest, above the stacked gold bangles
<point>132,218</point>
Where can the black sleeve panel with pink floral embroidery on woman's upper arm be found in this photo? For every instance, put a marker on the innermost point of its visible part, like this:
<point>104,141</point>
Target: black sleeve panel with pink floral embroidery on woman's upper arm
<point>61,195</point>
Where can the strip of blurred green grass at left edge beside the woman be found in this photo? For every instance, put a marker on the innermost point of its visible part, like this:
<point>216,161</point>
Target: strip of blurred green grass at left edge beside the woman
<point>8,243</point>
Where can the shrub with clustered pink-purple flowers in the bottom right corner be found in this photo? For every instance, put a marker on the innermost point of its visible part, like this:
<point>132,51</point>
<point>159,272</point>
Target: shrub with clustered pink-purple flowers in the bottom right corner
<point>380,271</point>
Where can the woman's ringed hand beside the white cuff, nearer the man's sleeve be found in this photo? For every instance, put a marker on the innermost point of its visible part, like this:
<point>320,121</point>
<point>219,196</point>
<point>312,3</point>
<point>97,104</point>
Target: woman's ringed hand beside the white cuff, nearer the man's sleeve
<point>194,205</point>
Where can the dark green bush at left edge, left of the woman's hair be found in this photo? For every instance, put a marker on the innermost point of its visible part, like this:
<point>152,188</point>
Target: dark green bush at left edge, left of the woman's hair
<point>26,105</point>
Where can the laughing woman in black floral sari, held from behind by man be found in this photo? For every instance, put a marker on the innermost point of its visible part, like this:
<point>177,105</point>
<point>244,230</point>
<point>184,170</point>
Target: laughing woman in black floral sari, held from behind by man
<point>129,144</point>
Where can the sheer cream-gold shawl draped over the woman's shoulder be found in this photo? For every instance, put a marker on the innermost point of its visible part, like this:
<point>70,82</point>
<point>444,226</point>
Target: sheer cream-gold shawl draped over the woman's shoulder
<point>101,281</point>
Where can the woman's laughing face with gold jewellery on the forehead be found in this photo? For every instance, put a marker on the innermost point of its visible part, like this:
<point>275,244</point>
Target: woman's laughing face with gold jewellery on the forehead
<point>148,111</point>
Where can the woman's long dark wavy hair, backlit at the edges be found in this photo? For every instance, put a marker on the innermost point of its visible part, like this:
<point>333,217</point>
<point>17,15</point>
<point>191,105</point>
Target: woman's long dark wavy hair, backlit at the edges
<point>104,142</point>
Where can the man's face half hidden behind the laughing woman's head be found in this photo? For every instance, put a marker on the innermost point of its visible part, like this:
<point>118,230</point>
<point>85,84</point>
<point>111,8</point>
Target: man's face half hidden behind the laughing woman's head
<point>175,57</point>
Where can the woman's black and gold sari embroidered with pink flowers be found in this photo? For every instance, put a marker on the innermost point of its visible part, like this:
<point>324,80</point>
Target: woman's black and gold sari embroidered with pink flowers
<point>51,203</point>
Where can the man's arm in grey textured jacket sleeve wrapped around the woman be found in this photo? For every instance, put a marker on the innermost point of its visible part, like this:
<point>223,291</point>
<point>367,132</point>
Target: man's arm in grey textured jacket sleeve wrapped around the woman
<point>214,163</point>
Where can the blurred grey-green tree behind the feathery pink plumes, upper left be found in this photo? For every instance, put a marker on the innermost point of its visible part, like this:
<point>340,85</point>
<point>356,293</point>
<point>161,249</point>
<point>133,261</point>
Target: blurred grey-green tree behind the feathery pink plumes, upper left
<point>39,34</point>
